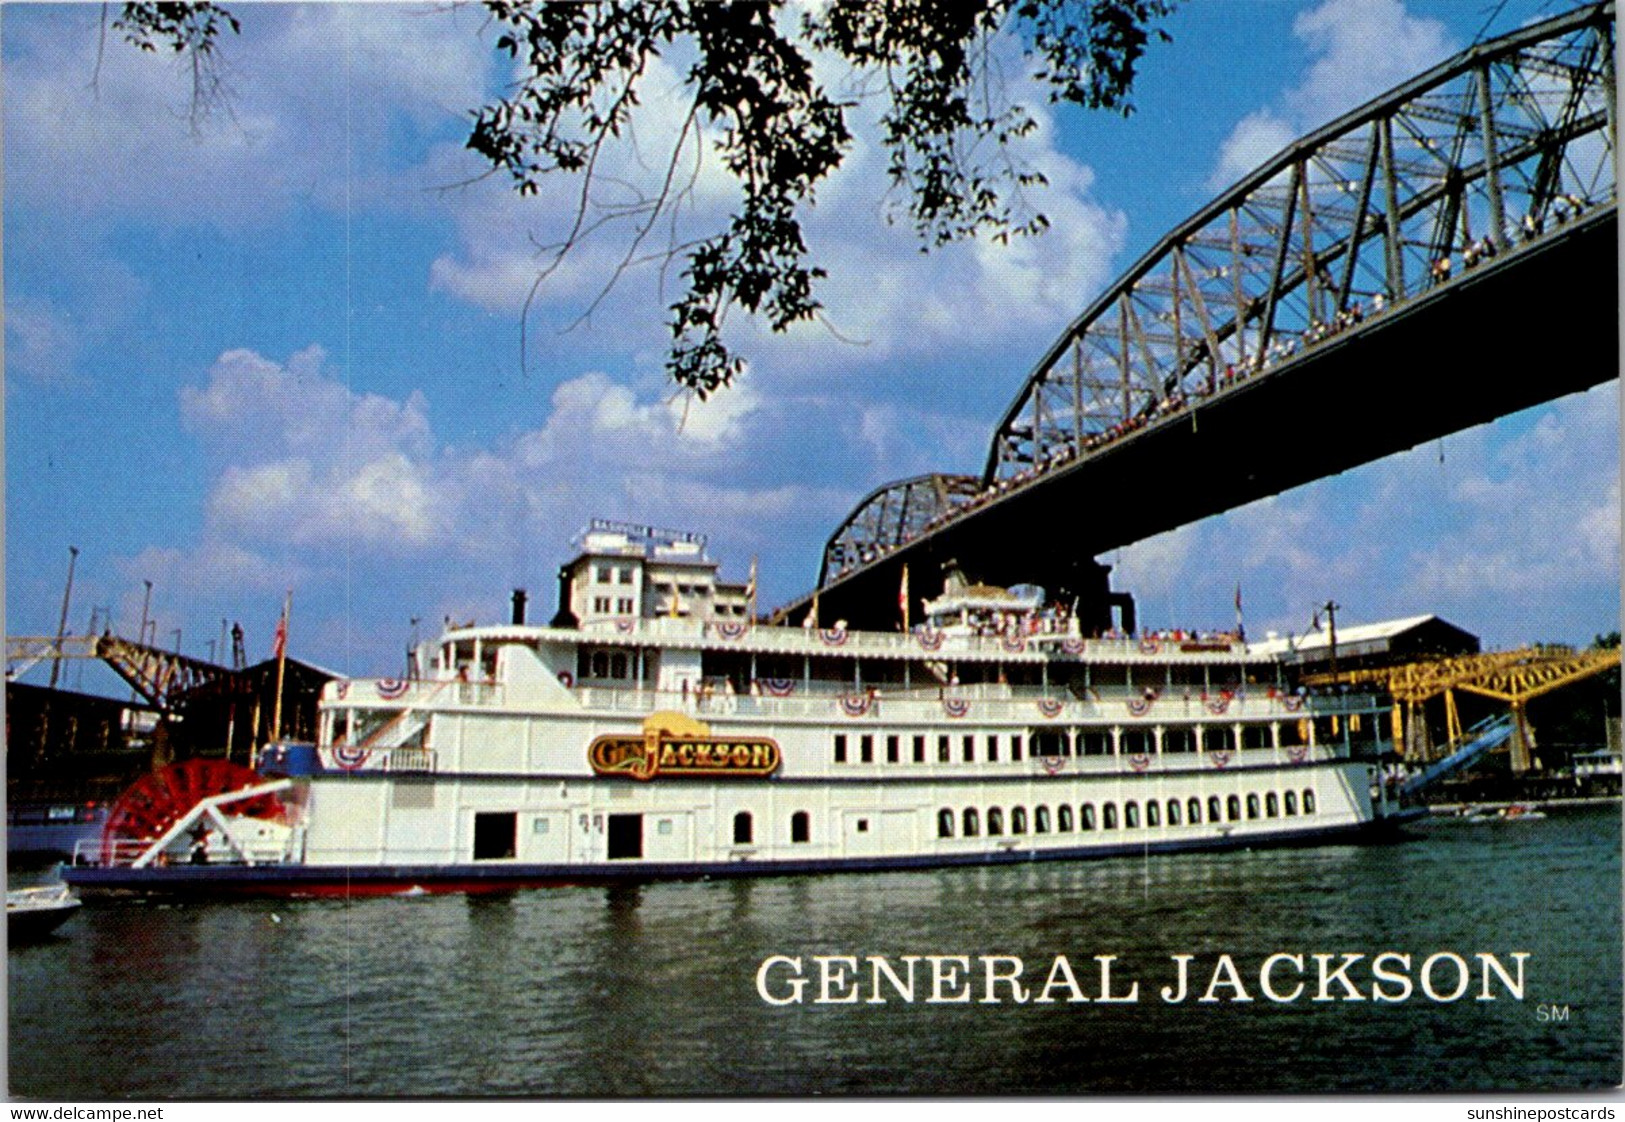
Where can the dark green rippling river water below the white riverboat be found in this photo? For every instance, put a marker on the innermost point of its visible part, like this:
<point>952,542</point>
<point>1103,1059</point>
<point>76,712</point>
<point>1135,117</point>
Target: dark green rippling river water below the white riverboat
<point>654,989</point>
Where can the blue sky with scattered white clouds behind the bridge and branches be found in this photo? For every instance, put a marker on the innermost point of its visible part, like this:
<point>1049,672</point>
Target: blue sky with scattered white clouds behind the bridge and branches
<point>279,347</point>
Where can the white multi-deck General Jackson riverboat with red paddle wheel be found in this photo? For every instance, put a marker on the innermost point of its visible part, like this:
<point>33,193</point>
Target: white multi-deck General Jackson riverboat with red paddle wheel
<point>657,729</point>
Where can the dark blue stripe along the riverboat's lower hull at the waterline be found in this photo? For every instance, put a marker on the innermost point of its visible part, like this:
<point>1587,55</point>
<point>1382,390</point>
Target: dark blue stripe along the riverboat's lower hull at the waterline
<point>290,879</point>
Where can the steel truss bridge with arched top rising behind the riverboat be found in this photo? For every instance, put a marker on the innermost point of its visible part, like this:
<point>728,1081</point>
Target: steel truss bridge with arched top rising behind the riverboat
<point>1436,259</point>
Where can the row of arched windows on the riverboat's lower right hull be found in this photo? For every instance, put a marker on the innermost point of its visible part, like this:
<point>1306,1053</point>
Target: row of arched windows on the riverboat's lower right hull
<point>969,822</point>
